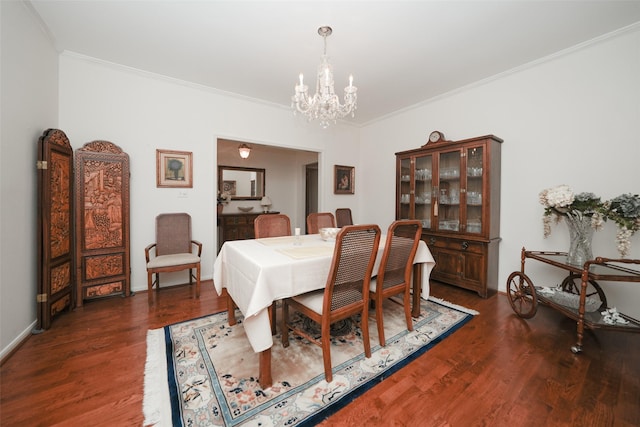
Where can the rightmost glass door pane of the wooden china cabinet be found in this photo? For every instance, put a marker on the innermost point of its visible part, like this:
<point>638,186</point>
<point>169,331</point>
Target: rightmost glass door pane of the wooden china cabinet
<point>474,190</point>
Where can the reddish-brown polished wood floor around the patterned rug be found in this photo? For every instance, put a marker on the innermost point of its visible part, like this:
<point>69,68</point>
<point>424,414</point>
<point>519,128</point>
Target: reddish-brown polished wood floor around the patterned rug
<point>497,370</point>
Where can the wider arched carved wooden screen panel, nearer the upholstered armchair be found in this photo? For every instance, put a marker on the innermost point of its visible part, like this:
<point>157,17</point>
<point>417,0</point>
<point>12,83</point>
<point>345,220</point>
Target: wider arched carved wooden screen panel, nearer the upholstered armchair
<point>102,221</point>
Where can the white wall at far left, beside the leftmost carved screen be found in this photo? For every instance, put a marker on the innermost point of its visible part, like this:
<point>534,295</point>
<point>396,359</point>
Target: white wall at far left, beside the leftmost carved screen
<point>29,106</point>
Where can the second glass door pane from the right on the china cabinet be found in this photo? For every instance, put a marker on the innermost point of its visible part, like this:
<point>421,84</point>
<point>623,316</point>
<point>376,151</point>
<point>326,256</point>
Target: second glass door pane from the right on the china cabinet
<point>448,211</point>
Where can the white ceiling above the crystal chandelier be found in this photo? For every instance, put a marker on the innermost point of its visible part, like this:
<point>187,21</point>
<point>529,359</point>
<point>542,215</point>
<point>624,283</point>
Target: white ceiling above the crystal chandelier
<point>400,52</point>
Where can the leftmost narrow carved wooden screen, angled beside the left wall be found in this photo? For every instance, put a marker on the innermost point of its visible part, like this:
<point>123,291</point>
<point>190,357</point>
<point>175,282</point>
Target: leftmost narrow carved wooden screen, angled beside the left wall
<point>55,226</point>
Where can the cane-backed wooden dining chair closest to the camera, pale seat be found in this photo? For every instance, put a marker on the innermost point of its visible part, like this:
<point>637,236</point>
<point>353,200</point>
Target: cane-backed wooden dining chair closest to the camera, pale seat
<point>346,292</point>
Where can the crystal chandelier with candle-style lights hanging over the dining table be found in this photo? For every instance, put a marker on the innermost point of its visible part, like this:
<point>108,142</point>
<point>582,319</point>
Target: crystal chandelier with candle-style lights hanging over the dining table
<point>325,104</point>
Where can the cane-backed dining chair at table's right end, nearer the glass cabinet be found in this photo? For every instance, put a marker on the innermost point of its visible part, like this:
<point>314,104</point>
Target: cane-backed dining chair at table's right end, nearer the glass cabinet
<point>394,273</point>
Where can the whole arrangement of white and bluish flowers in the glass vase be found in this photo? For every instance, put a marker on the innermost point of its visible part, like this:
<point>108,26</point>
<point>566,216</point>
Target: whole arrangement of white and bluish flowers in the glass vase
<point>624,210</point>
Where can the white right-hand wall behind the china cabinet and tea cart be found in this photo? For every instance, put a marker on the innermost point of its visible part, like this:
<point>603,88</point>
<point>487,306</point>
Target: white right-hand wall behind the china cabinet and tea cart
<point>573,119</point>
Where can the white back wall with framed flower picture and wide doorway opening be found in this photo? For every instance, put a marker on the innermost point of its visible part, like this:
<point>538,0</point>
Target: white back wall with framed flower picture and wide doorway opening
<point>141,112</point>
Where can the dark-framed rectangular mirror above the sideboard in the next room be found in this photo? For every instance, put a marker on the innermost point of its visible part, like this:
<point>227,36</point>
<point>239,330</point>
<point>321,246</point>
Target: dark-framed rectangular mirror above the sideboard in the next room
<point>241,183</point>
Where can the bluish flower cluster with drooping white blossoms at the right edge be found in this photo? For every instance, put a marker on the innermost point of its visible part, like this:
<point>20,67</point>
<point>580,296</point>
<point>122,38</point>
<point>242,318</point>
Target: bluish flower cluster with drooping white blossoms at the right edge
<point>624,210</point>
